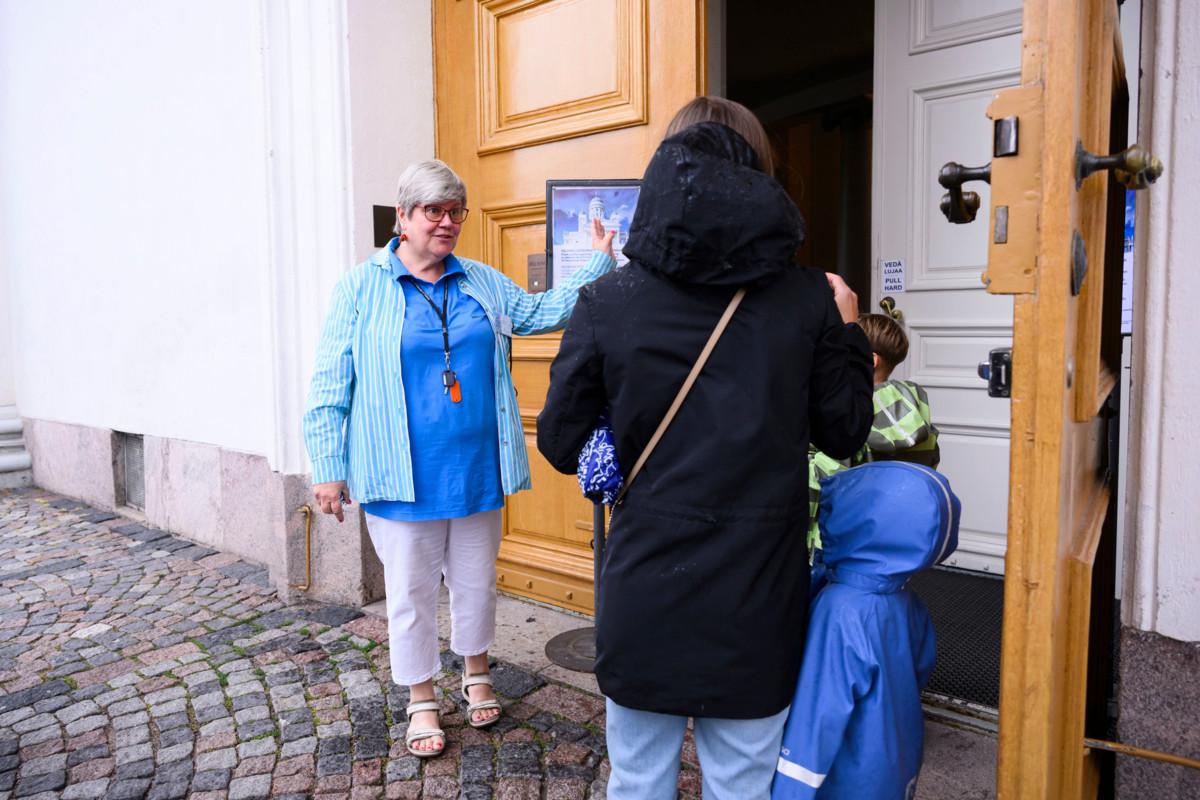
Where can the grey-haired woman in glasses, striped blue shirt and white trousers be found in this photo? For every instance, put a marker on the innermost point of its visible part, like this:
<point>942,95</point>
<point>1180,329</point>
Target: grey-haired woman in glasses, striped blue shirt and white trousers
<point>412,412</point>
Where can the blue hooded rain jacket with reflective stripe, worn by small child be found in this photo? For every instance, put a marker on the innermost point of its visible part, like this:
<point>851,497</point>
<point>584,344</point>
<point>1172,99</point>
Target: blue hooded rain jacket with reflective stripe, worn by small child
<point>856,729</point>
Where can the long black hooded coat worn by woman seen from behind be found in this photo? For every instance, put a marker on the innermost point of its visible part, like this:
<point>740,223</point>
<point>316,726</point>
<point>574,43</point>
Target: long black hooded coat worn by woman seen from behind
<point>704,594</point>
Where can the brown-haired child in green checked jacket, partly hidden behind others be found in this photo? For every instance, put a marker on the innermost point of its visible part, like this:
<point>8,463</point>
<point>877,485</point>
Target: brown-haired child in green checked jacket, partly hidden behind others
<point>902,430</point>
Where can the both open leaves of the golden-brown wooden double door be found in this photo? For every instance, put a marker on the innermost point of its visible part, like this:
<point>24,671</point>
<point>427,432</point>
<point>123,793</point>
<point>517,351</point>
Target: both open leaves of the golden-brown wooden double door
<point>584,89</point>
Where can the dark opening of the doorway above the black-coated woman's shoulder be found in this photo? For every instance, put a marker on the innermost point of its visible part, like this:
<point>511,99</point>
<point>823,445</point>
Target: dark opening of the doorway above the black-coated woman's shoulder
<point>806,70</point>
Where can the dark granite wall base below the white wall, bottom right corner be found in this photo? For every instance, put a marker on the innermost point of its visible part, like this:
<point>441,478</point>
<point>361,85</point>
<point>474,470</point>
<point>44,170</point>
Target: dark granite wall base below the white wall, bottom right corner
<point>1159,702</point>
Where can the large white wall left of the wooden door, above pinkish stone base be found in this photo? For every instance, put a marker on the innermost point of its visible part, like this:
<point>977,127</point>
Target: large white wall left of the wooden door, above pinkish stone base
<point>183,184</point>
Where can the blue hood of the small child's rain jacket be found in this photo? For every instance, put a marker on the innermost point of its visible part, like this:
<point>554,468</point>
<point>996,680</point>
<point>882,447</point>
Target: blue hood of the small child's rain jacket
<point>885,521</point>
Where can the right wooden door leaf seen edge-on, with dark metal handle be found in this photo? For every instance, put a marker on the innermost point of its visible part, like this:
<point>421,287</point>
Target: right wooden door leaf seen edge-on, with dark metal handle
<point>1072,95</point>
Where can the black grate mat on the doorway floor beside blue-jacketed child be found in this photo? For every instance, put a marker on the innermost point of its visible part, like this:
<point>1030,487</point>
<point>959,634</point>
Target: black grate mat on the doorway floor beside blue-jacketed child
<point>968,611</point>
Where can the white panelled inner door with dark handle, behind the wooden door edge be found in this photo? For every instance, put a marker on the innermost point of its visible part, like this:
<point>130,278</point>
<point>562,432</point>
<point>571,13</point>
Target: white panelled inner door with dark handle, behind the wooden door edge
<point>938,64</point>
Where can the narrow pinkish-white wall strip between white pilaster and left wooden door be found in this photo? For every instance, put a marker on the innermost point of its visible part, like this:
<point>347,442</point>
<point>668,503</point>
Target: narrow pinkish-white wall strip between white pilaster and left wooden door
<point>392,101</point>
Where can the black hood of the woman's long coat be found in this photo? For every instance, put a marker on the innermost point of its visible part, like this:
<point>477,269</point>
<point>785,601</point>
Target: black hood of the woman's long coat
<point>709,215</point>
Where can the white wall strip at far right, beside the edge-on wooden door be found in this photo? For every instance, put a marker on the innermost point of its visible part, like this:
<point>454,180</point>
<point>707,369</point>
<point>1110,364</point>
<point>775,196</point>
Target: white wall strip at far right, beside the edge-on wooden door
<point>1163,548</point>
